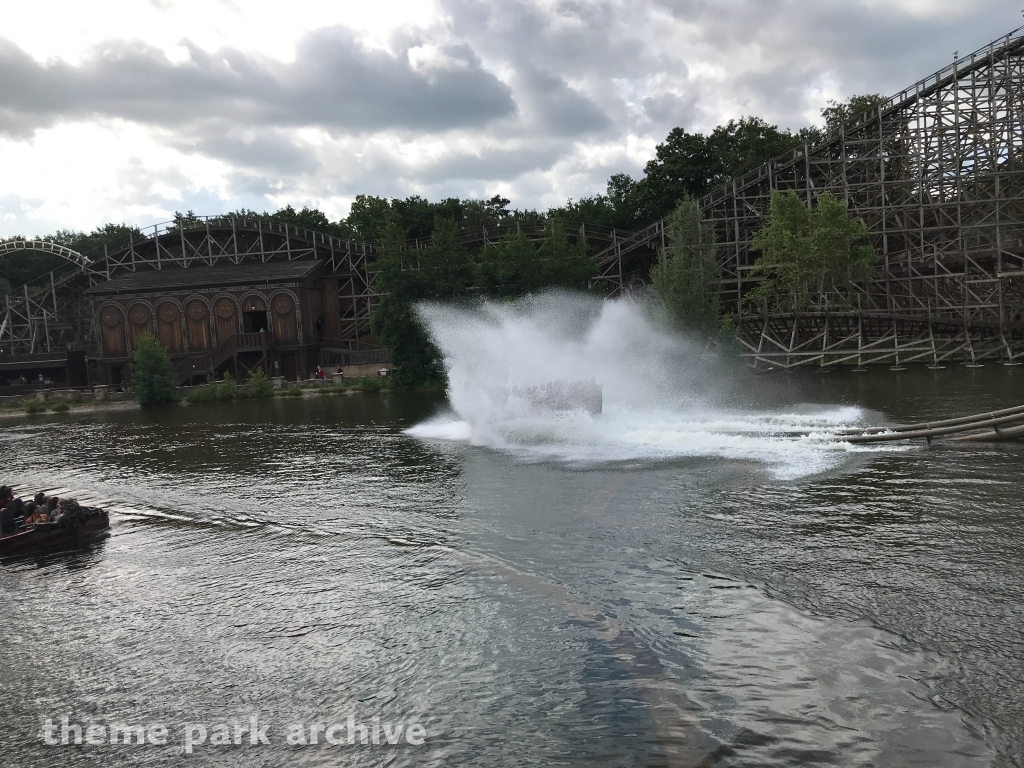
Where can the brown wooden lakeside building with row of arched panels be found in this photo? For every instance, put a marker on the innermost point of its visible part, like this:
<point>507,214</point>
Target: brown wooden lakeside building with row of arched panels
<point>276,316</point>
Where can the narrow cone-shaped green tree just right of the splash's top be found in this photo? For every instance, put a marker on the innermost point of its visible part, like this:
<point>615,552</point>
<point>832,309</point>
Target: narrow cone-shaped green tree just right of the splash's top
<point>687,278</point>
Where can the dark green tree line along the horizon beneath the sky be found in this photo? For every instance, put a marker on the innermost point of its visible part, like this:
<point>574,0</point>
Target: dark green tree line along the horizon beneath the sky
<point>685,165</point>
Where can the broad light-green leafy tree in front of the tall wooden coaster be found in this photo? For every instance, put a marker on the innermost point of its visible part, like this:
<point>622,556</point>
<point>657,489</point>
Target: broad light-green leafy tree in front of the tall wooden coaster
<point>806,253</point>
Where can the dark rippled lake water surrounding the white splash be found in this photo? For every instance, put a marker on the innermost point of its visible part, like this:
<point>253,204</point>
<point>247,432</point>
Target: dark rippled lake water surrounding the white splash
<point>306,561</point>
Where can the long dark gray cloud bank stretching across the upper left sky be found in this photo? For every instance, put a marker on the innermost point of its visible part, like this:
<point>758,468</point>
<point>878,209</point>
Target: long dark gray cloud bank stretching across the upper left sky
<point>334,83</point>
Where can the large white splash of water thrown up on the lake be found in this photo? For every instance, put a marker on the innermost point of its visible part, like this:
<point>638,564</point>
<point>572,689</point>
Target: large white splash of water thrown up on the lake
<point>665,398</point>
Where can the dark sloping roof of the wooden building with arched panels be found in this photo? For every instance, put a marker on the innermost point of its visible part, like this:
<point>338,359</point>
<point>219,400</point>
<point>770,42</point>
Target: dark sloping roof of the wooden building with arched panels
<point>148,280</point>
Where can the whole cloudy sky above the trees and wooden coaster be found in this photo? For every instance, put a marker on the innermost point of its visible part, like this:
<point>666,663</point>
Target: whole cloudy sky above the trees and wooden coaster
<point>130,110</point>
